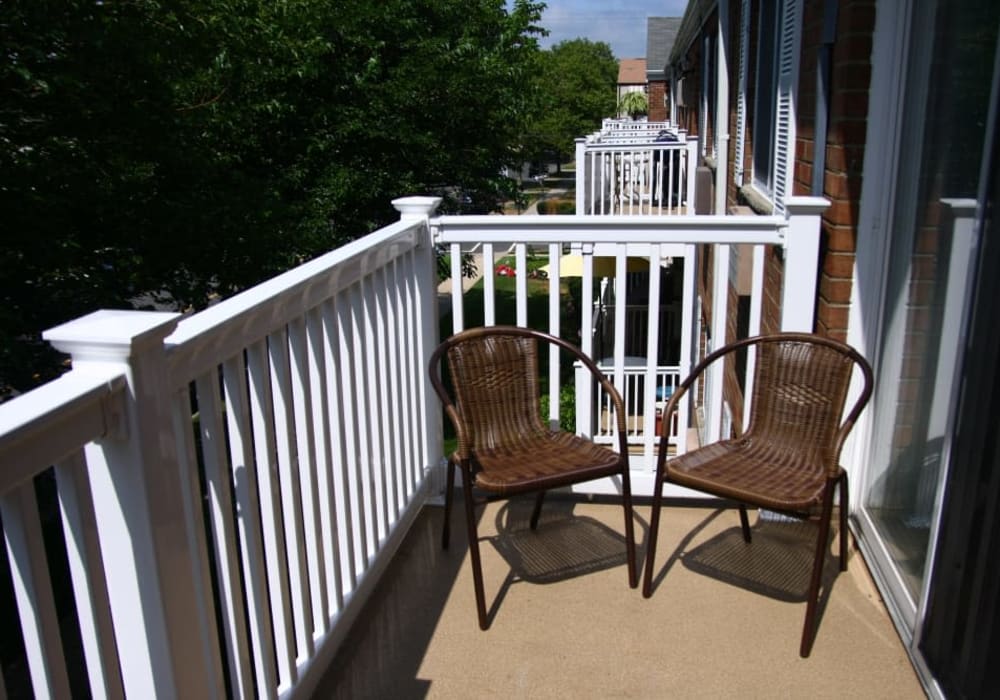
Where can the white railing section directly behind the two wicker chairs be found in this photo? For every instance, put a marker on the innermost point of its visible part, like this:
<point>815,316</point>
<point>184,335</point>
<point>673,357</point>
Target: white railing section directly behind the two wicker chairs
<point>656,239</point>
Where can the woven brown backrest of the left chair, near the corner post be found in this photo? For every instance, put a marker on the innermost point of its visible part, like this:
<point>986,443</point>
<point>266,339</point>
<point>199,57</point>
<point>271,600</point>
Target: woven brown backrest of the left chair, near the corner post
<point>494,374</point>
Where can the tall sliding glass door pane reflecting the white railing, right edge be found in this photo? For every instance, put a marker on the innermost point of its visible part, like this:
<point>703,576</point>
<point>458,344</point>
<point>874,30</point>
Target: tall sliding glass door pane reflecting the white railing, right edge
<point>930,262</point>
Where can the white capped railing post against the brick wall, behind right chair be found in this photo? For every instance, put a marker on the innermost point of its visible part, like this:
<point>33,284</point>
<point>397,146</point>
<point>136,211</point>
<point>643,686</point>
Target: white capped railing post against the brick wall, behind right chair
<point>798,295</point>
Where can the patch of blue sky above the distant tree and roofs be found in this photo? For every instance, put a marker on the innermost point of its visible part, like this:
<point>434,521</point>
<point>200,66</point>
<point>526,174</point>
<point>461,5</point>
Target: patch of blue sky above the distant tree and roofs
<point>620,23</point>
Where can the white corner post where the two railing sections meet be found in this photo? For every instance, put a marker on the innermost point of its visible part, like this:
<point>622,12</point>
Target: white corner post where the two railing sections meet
<point>421,209</point>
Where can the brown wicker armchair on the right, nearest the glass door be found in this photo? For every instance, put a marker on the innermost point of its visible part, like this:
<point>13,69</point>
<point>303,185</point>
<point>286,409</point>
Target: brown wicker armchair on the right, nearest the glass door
<point>787,460</point>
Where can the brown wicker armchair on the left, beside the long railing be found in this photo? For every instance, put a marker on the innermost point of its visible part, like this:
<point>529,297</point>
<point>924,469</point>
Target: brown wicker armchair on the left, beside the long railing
<point>504,447</point>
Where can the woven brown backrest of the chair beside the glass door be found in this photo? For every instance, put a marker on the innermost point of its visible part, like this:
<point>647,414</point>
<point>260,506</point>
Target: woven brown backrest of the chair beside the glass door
<point>799,392</point>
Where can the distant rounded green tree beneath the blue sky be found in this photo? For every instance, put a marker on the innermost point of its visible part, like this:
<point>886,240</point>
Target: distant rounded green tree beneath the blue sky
<point>576,90</point>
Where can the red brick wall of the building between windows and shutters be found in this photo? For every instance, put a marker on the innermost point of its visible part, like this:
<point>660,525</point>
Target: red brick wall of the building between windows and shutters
<point>847,124</point>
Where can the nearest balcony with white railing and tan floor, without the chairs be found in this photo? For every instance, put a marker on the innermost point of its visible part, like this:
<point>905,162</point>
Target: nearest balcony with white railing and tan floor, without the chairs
<point>234,486</point>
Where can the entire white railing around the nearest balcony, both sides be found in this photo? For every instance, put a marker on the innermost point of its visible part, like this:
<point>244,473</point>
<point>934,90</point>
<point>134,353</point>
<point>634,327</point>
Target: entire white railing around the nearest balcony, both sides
<point>230,485</point>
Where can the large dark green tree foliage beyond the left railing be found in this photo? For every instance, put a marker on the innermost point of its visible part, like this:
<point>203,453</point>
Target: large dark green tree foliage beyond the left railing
<point>174,150</point>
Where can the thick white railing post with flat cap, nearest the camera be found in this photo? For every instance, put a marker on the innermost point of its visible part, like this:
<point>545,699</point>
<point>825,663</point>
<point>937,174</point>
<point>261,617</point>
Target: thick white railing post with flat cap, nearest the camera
<point>155,575</point>
